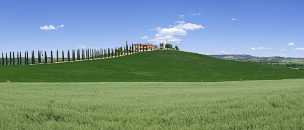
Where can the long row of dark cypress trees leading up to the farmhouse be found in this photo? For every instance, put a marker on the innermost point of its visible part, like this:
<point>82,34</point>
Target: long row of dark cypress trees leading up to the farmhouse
<point>47,57</point>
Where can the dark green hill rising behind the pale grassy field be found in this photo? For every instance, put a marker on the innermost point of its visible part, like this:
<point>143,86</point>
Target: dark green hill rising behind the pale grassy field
<point>153,66</point>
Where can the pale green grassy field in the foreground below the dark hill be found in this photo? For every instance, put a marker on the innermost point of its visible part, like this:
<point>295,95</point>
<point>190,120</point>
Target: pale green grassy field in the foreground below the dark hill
<point>128,106</point>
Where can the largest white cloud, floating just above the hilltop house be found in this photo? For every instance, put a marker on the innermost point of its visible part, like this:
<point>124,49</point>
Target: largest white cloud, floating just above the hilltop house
<point>176,32</point>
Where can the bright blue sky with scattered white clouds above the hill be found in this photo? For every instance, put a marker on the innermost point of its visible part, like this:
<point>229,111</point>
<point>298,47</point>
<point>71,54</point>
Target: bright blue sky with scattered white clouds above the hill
<point>256,27</point>
